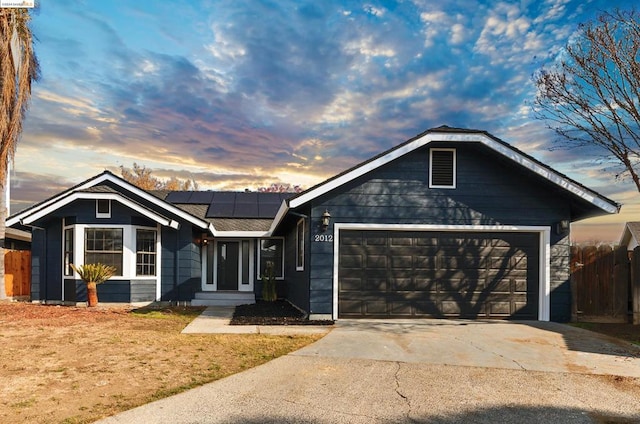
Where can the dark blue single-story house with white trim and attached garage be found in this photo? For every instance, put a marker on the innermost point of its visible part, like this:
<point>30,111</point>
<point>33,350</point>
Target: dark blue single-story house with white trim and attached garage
<point>451,223</point>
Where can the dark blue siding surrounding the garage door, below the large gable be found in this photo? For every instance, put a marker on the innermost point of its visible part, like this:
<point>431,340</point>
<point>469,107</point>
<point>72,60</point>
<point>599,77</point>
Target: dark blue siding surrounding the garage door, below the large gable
<point>490,191</point>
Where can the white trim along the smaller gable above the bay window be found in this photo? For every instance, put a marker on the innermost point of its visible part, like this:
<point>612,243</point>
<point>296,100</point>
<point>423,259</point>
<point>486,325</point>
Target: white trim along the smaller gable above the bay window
<point>106,176</point>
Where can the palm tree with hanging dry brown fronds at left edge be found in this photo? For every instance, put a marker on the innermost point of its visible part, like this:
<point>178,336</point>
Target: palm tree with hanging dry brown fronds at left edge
<point>18,69</point>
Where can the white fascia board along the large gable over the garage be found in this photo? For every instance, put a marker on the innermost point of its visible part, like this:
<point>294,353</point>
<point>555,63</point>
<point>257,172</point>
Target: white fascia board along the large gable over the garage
<point>545,172</point>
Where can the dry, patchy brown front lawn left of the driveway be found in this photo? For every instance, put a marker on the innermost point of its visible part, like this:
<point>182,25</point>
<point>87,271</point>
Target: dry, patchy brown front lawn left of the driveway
<point>76,365</point>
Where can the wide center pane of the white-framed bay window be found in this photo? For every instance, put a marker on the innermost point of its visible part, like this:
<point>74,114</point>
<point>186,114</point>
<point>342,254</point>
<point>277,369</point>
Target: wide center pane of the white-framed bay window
<point>104,245</point>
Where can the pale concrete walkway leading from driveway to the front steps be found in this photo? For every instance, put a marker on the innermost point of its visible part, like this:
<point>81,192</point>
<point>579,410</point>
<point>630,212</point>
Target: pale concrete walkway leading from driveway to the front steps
<point>215,320</point>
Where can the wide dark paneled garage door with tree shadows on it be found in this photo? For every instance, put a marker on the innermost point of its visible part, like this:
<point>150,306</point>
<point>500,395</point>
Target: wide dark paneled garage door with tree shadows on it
<point>438,274</point>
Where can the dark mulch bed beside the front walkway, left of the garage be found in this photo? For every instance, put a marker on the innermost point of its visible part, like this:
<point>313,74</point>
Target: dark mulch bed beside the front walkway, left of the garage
<point>279,312</point>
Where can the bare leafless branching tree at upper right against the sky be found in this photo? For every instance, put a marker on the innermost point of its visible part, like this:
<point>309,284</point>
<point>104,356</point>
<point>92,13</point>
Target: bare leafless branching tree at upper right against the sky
<point>591,95</point>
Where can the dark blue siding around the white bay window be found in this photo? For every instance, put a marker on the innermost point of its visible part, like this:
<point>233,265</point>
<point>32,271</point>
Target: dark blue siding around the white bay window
<point>179,267</point>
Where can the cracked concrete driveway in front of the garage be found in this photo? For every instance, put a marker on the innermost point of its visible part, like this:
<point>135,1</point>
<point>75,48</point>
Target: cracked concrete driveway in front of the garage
<point>425,371</point>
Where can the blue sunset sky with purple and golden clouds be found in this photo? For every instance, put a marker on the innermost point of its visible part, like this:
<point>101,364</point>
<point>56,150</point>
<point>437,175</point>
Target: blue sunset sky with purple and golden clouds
<point>241,94</point>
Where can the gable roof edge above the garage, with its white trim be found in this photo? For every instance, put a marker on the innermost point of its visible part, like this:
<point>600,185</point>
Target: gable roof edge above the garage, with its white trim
<point>449,134</point>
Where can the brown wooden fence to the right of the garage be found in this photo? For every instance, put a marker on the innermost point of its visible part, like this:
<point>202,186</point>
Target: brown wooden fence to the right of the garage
<point>605,282</point>
